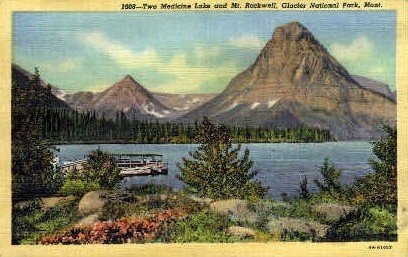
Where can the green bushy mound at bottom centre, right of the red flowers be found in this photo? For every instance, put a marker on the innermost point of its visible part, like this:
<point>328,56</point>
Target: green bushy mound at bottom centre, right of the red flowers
<point>202,227</point>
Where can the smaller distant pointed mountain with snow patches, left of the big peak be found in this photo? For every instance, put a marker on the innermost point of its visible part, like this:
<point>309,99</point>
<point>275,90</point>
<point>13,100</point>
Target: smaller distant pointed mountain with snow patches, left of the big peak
<point>134,100</point>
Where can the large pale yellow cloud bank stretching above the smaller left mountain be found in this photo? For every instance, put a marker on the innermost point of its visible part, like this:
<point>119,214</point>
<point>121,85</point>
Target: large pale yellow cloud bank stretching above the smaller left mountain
<point>185,76</point>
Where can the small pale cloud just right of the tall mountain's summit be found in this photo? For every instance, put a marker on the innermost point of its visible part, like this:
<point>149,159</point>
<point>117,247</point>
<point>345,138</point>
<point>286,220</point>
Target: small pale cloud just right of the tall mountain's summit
<point>359,48</point>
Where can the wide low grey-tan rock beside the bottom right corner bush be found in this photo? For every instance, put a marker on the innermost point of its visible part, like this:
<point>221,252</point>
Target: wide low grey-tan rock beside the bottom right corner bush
<point>279,225</point>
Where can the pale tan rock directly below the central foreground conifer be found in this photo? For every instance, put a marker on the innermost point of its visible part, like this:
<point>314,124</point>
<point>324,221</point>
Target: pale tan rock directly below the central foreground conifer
<point>235,208</point>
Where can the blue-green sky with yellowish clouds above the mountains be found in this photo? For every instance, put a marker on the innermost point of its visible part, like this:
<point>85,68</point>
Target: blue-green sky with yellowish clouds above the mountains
<point>188,52</point>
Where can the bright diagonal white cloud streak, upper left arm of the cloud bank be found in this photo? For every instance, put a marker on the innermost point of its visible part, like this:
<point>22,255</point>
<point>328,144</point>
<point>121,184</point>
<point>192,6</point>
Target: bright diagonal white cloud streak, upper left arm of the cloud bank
<point>118,52</point>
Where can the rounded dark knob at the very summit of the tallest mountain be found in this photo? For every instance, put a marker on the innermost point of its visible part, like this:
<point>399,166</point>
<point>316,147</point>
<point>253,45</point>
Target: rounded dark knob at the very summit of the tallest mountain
<point>293,31</point>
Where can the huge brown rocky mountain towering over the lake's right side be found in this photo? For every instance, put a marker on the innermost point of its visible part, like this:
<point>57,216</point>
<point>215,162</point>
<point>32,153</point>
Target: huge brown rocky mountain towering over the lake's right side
<point>295,81</point>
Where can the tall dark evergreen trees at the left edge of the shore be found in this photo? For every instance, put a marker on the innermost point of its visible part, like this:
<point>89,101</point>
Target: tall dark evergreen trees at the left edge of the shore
<point>33,174</point>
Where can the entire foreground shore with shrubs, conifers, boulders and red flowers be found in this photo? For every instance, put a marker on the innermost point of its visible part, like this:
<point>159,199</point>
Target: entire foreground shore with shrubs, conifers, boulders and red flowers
<point>222,201</point>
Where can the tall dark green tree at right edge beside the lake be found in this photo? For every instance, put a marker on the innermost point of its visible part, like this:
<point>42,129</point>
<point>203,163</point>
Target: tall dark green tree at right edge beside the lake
<point>380,187</point>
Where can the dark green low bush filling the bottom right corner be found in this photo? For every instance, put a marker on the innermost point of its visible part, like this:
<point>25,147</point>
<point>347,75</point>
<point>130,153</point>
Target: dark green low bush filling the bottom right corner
<point>365,224</point>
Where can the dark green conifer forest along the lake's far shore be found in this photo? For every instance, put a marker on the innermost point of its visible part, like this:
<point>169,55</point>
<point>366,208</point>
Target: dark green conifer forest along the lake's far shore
<point>64,126</point>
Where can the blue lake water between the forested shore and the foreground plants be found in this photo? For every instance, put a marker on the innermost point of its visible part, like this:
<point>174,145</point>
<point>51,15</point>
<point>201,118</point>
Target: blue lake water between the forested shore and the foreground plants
<point>280,166</point>
